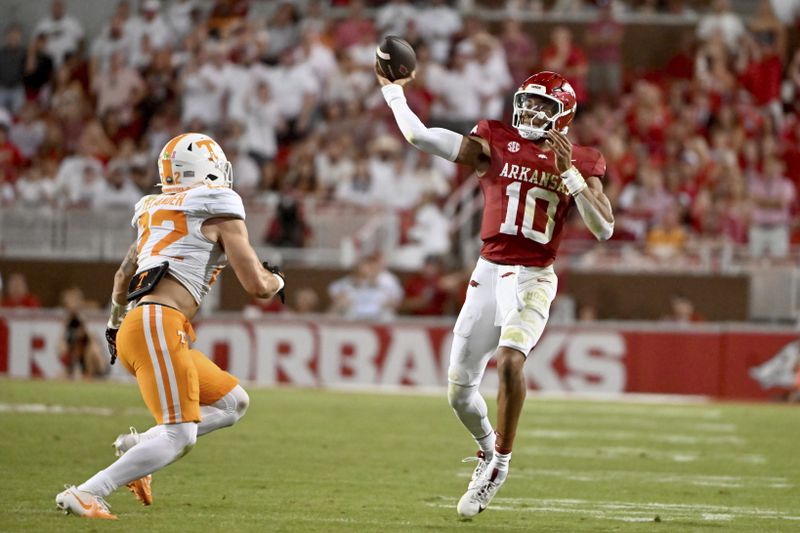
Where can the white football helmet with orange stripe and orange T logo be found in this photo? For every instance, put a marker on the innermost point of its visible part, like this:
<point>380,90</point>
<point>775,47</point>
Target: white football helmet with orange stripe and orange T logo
<point>193,159</point>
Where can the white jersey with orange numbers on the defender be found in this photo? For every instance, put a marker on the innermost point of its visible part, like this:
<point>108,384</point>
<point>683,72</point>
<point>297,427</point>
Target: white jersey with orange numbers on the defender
<point>170,229</point>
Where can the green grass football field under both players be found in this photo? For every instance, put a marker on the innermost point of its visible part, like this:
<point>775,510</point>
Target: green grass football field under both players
<point>309,460</point>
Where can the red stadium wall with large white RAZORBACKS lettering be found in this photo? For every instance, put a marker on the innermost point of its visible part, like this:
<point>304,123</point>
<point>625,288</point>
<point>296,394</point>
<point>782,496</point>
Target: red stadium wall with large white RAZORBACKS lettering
<point>714,361</point>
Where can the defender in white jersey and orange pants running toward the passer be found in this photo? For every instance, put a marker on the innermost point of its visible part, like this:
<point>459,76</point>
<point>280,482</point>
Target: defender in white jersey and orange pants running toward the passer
<point>186,236</point>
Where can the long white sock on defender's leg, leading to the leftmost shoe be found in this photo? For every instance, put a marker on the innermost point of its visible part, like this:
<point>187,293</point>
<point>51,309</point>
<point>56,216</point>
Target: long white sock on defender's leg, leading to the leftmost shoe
<point>165,444</point>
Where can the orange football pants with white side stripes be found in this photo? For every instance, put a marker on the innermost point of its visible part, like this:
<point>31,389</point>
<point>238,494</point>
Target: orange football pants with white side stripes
<point>153,344</point>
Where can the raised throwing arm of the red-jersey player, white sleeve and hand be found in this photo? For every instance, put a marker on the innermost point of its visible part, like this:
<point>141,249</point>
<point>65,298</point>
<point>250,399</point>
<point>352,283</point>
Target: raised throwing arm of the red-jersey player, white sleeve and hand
<point>470,151</point>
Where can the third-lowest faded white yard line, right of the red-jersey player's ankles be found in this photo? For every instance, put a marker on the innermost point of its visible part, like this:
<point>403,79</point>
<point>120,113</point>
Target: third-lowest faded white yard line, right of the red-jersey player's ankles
<point>626,452</point>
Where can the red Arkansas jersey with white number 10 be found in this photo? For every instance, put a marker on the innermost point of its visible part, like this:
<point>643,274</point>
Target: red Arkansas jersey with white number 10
<point>525,200</point>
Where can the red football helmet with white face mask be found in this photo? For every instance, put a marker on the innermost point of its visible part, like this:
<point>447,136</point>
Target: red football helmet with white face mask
<point>546,97</point>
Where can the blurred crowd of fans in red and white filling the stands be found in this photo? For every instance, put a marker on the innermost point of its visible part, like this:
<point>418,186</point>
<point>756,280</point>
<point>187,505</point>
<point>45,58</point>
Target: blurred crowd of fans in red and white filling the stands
<point>706,148</point>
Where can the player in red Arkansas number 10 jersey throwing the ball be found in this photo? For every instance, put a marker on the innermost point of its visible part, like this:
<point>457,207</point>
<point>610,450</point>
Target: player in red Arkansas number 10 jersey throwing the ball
<point>530,175</point>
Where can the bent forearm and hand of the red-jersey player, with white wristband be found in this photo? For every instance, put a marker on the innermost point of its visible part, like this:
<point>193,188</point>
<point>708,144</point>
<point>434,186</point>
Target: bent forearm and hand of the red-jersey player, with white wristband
<point>593,205</point>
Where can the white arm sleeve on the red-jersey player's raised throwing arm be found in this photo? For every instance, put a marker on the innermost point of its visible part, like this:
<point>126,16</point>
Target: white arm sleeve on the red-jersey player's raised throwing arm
<point>436,141</point>
